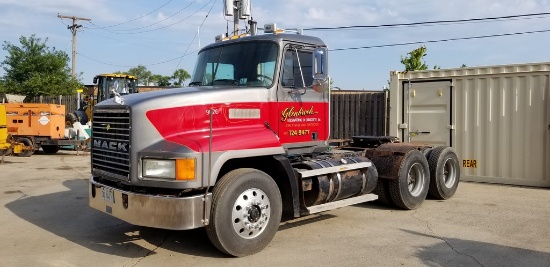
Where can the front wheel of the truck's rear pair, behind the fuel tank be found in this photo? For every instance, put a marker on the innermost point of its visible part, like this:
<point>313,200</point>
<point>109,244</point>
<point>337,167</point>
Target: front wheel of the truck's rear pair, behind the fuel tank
<point>409,190</point>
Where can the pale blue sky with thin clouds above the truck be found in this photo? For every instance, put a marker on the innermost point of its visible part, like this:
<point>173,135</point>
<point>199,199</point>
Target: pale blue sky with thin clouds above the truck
<point>164,35</point>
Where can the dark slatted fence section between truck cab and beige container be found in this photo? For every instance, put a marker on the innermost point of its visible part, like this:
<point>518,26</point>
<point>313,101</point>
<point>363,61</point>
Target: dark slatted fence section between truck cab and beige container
<point>358,113</point>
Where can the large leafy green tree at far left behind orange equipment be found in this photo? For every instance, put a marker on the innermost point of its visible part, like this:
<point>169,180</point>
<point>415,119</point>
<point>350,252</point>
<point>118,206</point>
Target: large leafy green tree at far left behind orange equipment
<point>34,69</point>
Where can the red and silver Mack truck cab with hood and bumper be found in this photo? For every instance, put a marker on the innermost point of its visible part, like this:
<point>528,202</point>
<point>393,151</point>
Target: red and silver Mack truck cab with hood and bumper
<point>161,150</point>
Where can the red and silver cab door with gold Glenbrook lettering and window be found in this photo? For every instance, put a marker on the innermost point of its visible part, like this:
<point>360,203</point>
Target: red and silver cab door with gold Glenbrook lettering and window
<point>302,112</point>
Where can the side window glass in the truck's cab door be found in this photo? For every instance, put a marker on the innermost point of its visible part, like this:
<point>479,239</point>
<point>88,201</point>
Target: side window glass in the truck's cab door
<point>292,77</point>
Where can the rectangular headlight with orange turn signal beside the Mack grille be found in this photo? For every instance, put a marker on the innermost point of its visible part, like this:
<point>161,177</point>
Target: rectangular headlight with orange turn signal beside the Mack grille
<point>175,169</point>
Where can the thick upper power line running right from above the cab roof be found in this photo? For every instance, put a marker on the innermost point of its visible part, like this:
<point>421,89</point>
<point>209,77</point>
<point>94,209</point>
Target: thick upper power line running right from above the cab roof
<point>425,23</point>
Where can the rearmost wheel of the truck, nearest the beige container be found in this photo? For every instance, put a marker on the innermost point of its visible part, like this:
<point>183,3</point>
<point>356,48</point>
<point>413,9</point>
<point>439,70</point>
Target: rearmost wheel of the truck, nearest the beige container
<point>444,172</point>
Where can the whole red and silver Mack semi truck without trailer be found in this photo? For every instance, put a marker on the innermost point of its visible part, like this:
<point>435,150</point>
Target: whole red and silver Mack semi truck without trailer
<point>247,145</point>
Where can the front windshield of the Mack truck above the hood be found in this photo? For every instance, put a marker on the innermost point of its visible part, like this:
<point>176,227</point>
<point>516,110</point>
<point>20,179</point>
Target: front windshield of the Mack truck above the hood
<point>241,64</point>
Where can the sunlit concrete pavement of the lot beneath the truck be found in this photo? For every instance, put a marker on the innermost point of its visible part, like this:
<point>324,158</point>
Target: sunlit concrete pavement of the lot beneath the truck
<point>45,221</point>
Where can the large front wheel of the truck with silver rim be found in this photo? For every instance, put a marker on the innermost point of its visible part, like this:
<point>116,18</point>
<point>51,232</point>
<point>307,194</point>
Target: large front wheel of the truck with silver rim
<point>246,212</point>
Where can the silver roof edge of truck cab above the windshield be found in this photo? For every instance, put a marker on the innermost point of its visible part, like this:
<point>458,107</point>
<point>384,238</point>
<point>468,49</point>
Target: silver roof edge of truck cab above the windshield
<point>279,38</point>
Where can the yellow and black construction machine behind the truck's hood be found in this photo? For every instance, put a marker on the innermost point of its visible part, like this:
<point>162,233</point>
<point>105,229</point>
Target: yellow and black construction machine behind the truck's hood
<point>107,86</point>
